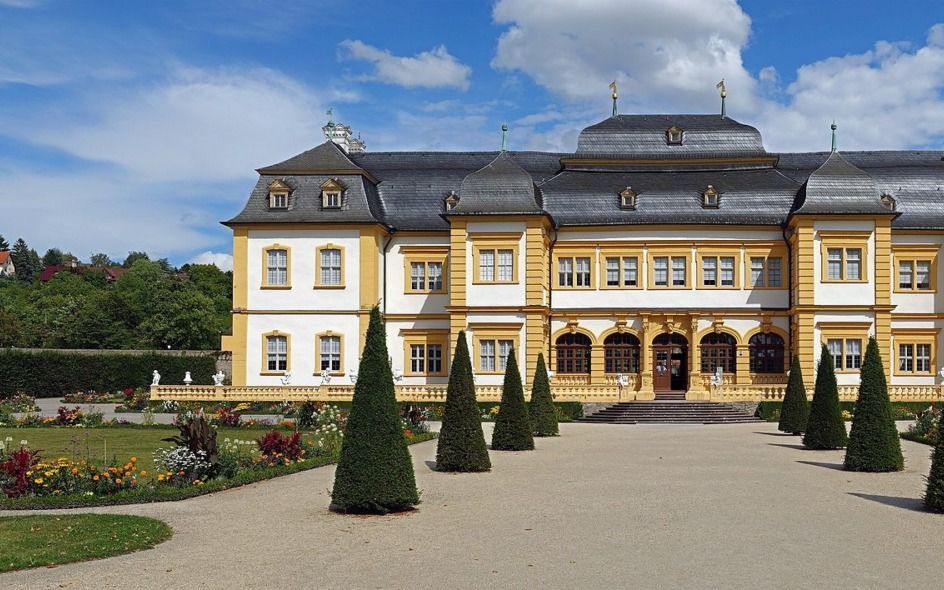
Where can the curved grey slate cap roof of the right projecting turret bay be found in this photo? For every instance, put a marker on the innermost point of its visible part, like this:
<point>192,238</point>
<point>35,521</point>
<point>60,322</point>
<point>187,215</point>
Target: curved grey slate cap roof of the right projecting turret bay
<point>838,187</point>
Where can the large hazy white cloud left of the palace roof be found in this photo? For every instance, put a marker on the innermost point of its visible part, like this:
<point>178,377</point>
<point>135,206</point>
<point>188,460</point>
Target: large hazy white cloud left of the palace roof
<point>197,124</point>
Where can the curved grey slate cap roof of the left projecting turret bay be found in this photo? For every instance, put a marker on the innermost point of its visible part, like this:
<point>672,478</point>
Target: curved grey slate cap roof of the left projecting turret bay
<point>501,187</point>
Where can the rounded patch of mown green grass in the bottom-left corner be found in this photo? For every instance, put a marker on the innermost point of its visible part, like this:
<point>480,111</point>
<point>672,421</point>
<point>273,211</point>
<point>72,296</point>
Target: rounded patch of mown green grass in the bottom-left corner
<point>40,540</point>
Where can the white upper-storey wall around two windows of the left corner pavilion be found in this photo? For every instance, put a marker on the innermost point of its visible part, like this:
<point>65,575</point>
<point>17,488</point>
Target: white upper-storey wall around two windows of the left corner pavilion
<point>303,295</point>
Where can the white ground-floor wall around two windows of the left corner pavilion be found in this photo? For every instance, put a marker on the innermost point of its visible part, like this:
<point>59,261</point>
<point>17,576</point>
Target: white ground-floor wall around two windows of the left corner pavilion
<point>302,329</point>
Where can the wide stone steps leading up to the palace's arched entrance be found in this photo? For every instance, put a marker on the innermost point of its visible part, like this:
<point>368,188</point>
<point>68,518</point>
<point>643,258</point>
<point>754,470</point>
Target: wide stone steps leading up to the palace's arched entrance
<point>669,412</point>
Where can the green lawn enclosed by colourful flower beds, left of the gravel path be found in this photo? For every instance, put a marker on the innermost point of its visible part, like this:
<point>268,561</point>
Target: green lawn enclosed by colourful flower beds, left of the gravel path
<point>100,445</point>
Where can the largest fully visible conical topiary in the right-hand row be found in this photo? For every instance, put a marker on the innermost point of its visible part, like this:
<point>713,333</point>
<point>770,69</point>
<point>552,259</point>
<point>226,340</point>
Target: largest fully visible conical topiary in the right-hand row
<point>874,444</point>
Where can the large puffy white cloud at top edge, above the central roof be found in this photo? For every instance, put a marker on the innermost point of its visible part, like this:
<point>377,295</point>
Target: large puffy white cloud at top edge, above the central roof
<point>660,51</point>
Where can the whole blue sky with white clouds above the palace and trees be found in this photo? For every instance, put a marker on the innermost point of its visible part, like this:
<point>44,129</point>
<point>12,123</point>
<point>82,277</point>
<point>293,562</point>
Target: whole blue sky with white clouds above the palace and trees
<point>137,125</point>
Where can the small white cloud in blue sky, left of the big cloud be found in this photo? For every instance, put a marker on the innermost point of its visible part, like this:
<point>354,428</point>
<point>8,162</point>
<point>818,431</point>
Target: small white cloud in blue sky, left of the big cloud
<point>436,68</point>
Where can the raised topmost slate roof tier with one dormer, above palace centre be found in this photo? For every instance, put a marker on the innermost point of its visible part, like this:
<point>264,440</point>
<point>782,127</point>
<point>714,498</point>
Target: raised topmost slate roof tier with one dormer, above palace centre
<point>644,137</point>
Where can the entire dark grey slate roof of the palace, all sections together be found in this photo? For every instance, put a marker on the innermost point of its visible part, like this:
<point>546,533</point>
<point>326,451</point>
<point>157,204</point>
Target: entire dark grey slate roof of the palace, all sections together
<point>405,190</point>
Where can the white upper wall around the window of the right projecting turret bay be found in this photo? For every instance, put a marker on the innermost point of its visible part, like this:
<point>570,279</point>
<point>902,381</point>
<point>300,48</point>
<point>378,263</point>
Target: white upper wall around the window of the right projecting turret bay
<point>843,293</point>
